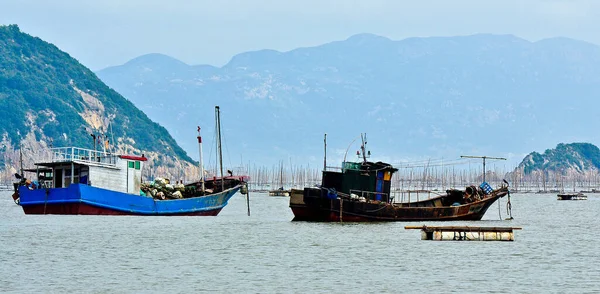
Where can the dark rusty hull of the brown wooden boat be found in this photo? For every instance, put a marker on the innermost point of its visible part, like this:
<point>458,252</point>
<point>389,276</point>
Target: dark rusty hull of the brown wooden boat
<point>335,210</point>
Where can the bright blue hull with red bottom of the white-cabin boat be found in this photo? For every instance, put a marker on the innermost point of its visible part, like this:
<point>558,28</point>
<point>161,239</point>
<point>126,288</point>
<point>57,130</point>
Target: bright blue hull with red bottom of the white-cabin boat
<point>84,199</point>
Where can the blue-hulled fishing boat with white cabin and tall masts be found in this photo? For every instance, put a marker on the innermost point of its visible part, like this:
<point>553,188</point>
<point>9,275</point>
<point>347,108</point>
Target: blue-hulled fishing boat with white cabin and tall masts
<point>74,180</point>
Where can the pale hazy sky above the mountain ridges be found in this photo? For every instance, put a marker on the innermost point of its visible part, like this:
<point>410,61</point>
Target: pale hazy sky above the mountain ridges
<point>110,32</point>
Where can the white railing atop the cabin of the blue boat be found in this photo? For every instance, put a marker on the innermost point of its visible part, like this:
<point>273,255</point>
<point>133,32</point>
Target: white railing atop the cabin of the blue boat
<point>84,156</point>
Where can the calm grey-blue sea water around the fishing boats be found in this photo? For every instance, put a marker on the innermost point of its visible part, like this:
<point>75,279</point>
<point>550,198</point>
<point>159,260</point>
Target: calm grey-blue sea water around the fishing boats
<point>556,252</point>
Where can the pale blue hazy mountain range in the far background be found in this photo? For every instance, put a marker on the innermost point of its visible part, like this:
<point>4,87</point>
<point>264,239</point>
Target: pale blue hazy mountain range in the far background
<point>495,95</point>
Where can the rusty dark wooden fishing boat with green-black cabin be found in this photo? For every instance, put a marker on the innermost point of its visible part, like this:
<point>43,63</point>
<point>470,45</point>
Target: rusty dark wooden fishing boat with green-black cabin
<point>360,192</point>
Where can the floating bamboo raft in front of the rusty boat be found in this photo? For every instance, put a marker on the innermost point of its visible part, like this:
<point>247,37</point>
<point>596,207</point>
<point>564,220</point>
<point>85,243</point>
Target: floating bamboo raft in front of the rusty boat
<point>465,233</point>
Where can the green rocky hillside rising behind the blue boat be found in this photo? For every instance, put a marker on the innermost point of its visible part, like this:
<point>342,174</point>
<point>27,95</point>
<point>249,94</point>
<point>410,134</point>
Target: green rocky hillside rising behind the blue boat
<point>49,98</point>
